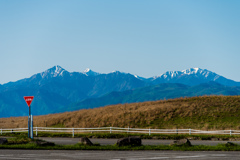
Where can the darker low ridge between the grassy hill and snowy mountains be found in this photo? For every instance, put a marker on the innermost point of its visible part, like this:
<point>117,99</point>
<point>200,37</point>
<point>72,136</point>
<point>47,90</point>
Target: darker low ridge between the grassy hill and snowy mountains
<point>158,92</point>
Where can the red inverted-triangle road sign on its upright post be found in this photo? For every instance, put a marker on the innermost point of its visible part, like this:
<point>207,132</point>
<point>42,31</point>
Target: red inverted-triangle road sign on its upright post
<point>28,100</point>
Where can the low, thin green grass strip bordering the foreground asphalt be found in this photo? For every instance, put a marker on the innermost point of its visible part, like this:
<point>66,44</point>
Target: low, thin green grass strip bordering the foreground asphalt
<point>220,147</point>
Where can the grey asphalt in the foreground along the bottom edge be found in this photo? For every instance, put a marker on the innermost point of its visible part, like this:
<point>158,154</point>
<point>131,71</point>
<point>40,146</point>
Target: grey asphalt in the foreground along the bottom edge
<point>115,155</point>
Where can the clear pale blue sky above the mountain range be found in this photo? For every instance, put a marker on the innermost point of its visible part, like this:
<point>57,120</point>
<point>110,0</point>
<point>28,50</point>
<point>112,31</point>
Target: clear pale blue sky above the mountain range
<point>142,37</point>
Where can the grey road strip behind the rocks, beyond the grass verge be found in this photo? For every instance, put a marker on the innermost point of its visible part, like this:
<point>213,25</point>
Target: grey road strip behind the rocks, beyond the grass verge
<point>144,141</point>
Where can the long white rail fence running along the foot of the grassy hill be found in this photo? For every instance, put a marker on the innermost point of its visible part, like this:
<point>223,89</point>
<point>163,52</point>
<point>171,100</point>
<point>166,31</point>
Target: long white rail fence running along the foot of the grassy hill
<point>117,129</point>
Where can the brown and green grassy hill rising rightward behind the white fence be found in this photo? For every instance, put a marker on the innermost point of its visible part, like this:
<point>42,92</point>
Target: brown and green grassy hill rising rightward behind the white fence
<point>206,112</point>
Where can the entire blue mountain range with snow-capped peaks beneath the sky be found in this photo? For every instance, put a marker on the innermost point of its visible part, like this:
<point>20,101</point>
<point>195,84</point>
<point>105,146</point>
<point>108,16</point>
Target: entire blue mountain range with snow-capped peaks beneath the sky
<point>57,90</point>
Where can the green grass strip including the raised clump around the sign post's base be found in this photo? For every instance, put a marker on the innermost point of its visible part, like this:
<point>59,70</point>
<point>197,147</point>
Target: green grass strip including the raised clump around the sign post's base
<point>26,143</point>
